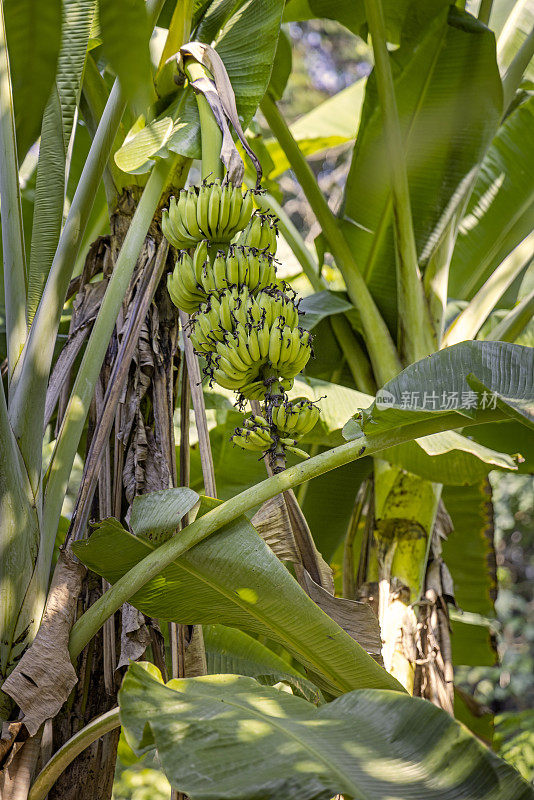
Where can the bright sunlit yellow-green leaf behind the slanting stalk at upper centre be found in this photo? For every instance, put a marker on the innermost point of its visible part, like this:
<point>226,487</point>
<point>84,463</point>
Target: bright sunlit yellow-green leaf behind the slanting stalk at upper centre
<point>332,123</point>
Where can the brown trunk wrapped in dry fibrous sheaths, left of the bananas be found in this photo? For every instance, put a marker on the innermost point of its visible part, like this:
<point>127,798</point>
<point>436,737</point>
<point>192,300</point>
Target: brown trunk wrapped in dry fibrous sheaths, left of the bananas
<point>139,457</point>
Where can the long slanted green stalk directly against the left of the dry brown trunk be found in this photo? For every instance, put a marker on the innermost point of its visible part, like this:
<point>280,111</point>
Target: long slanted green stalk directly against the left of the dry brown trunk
<point>58,473</point>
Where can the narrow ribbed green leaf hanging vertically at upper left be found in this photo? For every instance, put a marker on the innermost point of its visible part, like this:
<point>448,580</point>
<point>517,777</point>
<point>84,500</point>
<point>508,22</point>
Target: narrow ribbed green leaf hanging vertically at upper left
<point>55,138</point>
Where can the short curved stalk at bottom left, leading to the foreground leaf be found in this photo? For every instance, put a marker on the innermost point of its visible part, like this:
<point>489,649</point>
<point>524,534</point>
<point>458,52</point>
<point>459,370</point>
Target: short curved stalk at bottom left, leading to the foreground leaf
<point>68,752</point>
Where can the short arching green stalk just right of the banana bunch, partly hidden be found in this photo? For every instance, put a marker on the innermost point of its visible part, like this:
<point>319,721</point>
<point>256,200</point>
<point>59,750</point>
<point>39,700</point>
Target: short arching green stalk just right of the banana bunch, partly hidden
<point>356,358</point>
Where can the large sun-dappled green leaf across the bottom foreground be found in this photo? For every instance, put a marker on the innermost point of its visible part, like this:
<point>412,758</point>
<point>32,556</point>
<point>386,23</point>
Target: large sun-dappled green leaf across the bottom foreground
<point>228,737</point>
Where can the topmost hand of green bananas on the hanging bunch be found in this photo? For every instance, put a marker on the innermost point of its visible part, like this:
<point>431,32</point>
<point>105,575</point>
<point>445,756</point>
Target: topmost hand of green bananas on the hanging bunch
<point>211,211</point>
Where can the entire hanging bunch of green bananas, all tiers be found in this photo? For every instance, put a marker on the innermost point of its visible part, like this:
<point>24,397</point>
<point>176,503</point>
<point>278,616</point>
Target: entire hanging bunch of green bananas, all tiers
<point>244,320</point>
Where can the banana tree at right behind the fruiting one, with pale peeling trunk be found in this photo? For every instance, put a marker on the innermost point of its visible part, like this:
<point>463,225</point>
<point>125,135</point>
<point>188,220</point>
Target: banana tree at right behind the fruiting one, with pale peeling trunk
<point>425,180</point>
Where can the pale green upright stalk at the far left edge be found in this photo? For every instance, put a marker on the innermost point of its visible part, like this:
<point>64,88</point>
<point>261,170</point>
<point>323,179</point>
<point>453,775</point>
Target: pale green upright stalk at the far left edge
<point>12,231</point>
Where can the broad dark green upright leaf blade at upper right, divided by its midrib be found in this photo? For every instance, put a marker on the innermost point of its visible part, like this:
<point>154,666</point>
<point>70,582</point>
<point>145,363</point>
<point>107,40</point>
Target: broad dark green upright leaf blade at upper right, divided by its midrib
<point>449,100</point>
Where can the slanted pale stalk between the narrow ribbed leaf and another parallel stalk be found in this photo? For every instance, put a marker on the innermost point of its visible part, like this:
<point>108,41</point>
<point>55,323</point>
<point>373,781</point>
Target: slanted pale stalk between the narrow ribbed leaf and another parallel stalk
<point>30,378</point>
